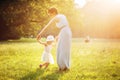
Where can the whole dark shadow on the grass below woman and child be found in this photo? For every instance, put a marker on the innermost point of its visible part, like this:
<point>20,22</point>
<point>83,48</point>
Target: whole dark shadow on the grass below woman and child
<point>42,74</point>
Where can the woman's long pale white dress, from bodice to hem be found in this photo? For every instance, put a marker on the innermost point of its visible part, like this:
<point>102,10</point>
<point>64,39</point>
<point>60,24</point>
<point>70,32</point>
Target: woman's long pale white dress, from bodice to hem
<point>64,42</point>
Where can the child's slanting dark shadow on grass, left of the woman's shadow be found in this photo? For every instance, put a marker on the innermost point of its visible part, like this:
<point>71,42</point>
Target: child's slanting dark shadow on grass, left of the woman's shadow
<point>33,75</point>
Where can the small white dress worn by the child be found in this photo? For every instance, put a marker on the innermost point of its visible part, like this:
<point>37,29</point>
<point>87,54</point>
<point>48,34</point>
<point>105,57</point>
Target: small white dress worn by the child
<point>46,56</point>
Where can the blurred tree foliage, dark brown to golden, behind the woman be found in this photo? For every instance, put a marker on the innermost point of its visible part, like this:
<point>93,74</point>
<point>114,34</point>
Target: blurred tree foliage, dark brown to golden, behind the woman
<point>25,18</point>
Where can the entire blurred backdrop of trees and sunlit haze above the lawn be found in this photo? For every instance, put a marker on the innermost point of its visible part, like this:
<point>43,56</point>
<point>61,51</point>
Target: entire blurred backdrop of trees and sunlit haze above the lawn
<point>93,18</point>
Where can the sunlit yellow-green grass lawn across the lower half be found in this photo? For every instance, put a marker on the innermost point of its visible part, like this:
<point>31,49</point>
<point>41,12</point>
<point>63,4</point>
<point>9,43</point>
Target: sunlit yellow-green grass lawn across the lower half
<point>97,60</point>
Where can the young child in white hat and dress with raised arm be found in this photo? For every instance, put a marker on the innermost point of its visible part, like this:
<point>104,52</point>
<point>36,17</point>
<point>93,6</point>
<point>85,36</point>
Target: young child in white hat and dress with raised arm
<point>47,58</point>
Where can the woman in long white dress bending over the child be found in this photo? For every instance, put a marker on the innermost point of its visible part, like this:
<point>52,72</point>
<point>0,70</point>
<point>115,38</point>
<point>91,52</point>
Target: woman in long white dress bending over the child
<point>64,38</point>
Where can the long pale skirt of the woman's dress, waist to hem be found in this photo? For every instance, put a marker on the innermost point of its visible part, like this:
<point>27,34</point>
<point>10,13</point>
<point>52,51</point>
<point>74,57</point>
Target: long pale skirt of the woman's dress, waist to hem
<point>63,48</point>
